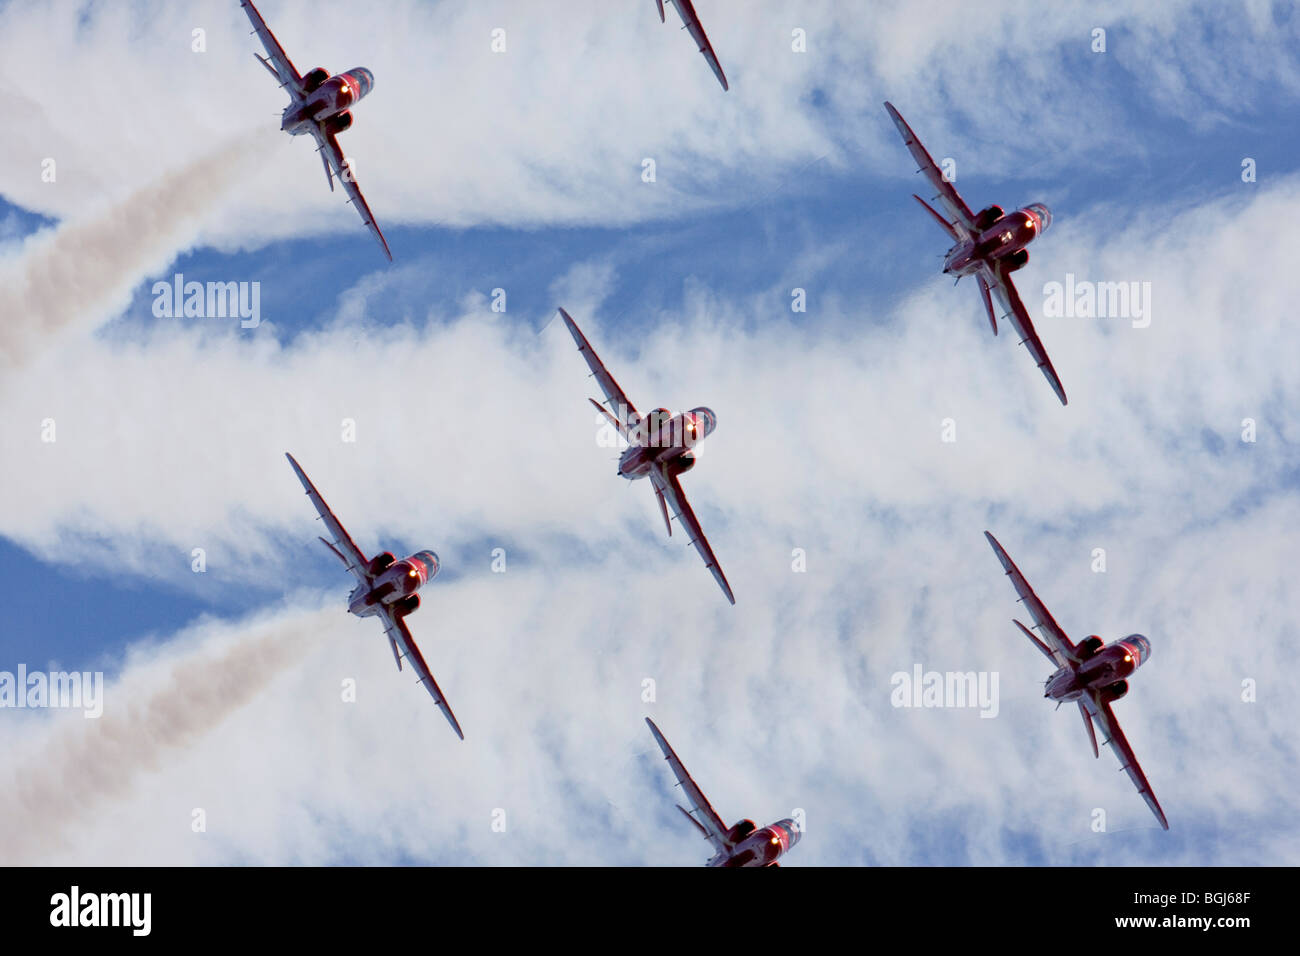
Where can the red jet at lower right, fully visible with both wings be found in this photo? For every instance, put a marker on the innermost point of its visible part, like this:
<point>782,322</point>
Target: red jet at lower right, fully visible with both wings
<point>1094,674</point>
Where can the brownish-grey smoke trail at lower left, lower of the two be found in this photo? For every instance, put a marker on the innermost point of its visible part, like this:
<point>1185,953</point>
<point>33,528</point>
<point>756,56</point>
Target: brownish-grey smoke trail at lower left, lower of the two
<point>88,763</point>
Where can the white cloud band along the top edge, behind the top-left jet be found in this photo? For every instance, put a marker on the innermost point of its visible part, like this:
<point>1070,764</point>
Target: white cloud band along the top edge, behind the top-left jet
<point>556,129</point>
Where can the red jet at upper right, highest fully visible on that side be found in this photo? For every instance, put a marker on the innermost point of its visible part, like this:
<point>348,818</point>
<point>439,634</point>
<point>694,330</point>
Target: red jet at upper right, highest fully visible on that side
<point>989,245</point>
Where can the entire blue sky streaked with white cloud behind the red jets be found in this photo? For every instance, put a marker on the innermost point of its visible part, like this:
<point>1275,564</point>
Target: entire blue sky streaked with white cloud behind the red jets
<point>476,435</point>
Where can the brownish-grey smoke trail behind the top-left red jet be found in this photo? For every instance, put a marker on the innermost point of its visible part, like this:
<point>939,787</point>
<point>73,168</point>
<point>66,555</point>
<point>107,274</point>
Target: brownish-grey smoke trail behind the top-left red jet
<point>86,270</point>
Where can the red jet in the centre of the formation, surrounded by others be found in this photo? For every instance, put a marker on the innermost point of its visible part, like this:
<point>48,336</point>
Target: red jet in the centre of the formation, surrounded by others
<point>660,448</point>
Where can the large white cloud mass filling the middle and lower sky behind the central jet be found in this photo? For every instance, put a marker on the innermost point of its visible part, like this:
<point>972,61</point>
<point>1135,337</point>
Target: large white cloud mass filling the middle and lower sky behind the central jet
<point>829,440</point>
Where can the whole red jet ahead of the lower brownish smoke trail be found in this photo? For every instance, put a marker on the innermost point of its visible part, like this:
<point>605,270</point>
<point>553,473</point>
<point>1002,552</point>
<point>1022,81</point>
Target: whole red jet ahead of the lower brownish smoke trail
<point>385,589</point>
